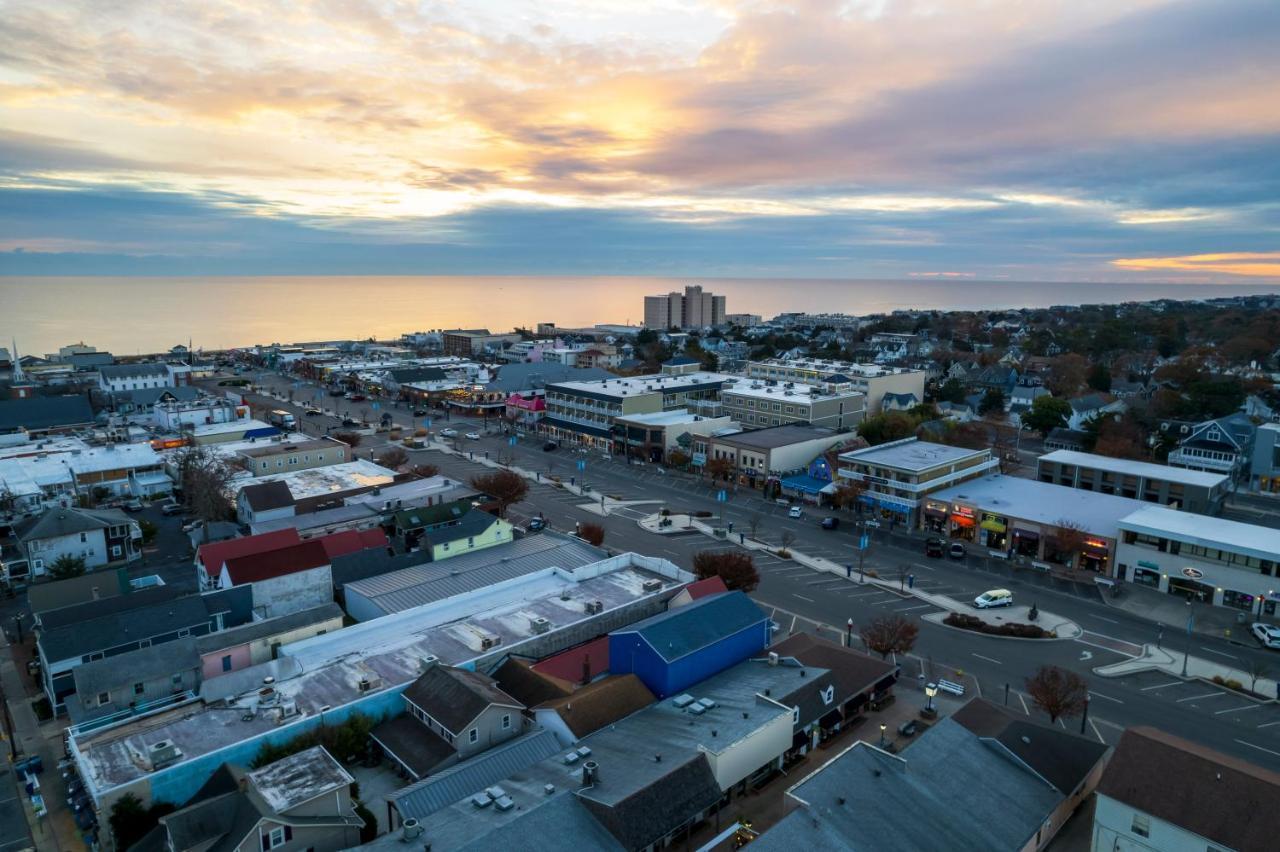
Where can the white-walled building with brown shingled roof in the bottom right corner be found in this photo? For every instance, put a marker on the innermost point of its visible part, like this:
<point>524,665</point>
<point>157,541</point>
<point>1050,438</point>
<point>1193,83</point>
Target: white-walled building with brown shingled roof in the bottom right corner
<point>1163,793</point>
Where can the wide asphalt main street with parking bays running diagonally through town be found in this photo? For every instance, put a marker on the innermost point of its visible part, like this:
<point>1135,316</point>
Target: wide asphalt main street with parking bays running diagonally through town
<point>802,599</point>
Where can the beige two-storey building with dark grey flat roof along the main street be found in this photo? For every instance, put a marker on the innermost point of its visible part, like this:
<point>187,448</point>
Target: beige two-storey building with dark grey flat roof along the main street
<point>764,456</point>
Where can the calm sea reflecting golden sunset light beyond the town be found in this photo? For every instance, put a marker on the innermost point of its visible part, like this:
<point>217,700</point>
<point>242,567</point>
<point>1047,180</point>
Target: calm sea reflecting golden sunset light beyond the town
<point>132,315</point>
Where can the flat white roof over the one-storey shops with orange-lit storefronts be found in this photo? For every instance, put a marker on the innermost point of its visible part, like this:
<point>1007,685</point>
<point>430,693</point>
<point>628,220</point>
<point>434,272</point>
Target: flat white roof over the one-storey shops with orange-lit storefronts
<point>1044,503</point>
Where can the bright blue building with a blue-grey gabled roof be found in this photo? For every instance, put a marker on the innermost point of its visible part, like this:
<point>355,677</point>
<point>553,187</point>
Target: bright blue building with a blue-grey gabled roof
<point>684,647</point>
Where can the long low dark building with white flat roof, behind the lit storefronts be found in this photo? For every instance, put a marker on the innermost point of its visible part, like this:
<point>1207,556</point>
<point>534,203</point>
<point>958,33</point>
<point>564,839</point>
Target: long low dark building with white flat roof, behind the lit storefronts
<point>1196,492</point>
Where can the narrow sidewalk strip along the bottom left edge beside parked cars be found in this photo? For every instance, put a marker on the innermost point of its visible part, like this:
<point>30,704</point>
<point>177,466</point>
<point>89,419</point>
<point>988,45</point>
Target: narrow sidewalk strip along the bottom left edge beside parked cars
<point>57,831</point>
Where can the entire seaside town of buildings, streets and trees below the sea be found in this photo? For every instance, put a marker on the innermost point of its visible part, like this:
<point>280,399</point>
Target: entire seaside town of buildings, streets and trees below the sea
<point>971,580</point>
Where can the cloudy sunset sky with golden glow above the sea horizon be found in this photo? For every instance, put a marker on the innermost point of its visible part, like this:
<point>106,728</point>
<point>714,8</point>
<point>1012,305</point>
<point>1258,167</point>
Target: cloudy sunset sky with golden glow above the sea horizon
<point>1021,140</point>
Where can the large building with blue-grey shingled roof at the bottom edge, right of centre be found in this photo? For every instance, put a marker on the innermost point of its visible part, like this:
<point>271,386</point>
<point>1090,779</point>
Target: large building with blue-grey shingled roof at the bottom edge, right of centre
<point>973,791</point>
